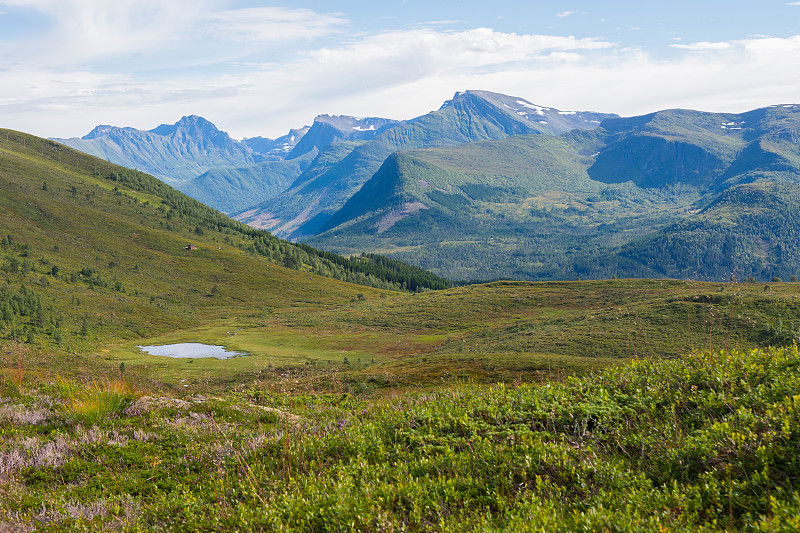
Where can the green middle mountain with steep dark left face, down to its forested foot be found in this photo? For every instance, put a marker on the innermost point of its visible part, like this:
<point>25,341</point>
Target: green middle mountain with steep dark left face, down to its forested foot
<point>518,208</point>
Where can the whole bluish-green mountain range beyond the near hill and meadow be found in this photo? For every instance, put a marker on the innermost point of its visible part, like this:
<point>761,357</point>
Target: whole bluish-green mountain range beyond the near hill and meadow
<point>492,186</point>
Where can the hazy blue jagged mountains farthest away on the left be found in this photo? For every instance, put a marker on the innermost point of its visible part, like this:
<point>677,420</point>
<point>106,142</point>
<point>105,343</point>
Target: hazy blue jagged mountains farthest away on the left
<point>210,166</point>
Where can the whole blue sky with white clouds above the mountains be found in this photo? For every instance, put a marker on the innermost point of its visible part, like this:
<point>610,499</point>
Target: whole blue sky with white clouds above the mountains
<point>257,68</point>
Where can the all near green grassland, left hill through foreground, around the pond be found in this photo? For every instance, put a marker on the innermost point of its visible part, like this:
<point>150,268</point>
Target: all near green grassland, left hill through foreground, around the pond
<point>613,405</point>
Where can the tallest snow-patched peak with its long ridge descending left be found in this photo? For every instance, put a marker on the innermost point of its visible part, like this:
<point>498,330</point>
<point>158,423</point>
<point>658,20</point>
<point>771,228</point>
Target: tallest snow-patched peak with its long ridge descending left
<point>473,116</point>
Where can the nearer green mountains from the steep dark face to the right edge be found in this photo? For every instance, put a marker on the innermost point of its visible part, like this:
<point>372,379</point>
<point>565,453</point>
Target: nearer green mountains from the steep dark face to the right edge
<point>542,207</point>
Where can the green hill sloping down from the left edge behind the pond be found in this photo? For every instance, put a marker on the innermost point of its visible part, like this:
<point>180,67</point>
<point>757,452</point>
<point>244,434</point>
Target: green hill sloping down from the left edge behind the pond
<point>76,228</point>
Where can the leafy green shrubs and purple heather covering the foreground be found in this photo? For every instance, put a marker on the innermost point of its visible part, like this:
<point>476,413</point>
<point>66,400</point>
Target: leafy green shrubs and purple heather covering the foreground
<point>707,442</point>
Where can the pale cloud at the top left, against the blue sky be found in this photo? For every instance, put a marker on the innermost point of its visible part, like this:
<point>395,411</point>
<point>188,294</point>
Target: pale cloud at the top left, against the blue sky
<point>90,30</point>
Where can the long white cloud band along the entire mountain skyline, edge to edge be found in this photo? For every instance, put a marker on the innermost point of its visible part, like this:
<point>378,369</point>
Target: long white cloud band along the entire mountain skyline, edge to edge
<point>398,74</point>
